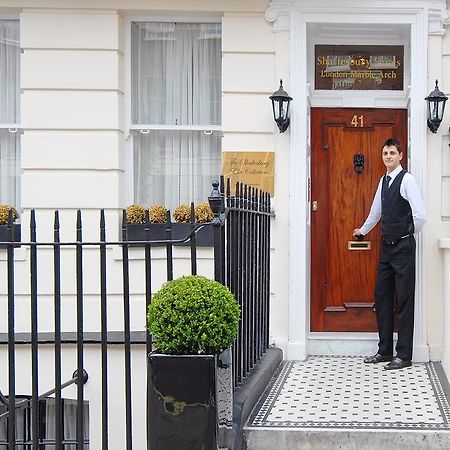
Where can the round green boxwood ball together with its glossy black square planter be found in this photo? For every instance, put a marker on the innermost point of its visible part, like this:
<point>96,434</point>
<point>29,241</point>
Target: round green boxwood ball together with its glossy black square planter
<point>192,321</point>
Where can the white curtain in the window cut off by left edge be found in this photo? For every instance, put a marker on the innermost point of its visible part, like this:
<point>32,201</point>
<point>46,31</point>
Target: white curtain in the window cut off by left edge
<point>9,112</point>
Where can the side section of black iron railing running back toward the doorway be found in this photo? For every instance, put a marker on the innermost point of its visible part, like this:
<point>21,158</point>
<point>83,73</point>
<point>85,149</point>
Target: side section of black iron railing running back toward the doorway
<point>247,273</point>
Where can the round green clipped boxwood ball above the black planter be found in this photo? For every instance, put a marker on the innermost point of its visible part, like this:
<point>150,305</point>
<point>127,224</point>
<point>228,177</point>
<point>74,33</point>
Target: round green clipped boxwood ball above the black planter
<point>193,315</point>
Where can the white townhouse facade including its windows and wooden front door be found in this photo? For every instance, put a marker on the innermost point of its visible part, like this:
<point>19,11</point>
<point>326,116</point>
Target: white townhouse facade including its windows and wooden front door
<point>105,103</point>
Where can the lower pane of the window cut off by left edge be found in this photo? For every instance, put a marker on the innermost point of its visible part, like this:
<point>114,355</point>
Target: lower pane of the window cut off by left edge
<point>9,168</point>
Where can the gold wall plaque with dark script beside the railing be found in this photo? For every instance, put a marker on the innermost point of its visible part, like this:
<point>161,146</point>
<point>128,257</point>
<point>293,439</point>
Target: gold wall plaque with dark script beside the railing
<point>256,169</point>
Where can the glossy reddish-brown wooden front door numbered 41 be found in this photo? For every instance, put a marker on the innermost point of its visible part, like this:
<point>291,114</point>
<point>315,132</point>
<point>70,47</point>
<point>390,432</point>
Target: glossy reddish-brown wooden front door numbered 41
<point>346,167</point>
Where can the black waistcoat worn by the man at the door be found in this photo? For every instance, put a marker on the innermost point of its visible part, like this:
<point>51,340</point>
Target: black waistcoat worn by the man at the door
<point>396,214</point>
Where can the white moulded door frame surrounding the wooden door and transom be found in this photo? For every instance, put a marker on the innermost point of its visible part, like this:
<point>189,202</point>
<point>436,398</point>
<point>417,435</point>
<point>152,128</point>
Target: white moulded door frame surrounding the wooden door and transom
<point>423,17</point>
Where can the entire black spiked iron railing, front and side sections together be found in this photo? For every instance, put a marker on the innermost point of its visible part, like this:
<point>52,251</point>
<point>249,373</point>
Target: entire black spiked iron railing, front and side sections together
<point>241,261</point>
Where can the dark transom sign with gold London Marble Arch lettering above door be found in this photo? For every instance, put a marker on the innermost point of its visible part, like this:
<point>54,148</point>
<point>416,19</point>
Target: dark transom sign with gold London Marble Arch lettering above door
<point>359,67</point>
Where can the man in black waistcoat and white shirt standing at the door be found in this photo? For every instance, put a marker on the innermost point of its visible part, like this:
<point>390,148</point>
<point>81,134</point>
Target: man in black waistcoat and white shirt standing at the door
<point>399,205</point>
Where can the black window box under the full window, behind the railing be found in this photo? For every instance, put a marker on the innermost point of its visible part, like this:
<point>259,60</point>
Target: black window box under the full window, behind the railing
<point>204,237</point>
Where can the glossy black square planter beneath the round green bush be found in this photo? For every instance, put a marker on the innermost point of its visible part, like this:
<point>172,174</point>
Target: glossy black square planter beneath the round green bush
<point>182,412</point>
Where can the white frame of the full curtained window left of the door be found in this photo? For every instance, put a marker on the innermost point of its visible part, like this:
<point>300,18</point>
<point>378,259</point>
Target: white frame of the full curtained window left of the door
<point>145,128</point>
